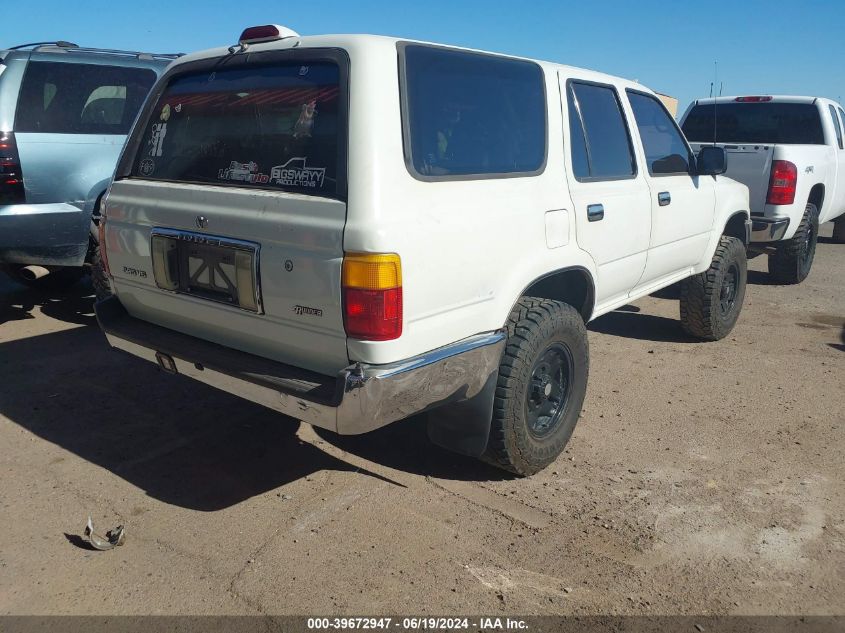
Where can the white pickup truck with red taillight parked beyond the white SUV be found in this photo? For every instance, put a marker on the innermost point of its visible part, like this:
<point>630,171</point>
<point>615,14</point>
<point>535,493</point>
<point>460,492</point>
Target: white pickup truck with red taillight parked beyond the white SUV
<point>790,153</point>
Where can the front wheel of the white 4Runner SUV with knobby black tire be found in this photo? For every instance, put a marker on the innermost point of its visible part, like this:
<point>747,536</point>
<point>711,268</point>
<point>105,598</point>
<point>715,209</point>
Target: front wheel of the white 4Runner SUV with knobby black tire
<point>711,301</point>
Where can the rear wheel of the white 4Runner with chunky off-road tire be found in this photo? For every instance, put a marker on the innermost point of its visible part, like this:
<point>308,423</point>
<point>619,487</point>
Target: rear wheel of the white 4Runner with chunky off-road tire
<point>541,386</point>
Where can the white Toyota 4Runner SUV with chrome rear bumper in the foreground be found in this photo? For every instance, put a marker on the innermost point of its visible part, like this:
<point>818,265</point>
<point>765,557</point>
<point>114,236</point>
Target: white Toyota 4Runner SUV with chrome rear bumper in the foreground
<point>354,229</point>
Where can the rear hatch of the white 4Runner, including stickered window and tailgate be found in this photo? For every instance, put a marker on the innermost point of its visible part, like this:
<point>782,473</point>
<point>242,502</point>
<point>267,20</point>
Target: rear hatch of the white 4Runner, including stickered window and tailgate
<point>227,220</point>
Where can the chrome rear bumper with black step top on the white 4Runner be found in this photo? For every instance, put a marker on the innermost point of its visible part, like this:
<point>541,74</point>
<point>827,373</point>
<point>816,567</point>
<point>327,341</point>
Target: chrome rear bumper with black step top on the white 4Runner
<point>361,398</point>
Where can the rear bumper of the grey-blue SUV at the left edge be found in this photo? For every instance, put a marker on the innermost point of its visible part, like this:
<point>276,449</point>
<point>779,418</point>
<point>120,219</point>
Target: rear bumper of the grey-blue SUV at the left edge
<point>45,234</point>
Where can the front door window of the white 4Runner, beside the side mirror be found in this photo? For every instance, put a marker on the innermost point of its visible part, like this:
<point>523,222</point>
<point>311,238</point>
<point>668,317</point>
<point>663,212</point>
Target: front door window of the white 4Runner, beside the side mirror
<point>665,149</point>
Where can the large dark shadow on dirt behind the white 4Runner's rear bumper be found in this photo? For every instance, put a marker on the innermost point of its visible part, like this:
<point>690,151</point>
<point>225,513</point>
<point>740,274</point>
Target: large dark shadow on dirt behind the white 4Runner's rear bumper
<point>180,441</point>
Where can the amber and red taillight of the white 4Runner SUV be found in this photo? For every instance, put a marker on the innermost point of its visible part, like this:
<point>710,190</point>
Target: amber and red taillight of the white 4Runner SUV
<point>372,296</point>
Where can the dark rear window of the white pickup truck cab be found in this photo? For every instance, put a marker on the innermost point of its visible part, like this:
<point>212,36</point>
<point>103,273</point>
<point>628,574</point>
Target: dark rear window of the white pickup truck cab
<point>768,122</point>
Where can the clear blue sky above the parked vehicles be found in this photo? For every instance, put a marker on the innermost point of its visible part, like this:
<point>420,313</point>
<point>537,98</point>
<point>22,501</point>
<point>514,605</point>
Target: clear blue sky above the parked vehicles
<point>775,46</point>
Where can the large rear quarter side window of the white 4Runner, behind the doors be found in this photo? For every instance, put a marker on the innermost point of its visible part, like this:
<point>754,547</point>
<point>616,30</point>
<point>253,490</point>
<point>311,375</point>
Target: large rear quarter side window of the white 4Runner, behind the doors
<point>468,114</point>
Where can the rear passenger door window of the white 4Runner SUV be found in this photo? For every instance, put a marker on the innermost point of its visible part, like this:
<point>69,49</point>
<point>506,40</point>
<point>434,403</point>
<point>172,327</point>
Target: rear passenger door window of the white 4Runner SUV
<point>600,146</point>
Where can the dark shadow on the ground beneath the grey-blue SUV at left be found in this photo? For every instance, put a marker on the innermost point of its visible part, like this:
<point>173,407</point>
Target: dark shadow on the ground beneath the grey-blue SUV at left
<point>18,302</point>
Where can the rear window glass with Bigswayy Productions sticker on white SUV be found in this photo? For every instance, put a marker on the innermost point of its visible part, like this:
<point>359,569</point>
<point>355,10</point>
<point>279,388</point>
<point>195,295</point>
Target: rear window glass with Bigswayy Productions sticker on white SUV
<point>268,127</point>
